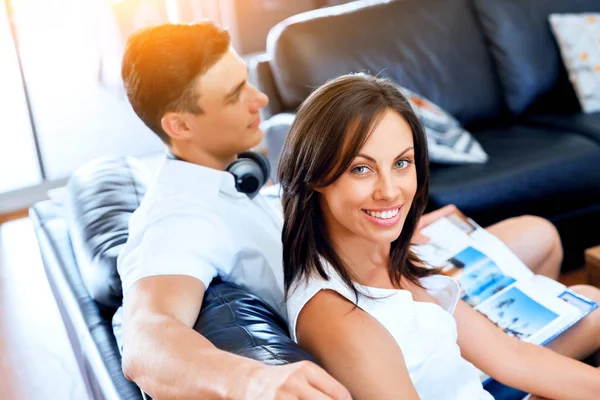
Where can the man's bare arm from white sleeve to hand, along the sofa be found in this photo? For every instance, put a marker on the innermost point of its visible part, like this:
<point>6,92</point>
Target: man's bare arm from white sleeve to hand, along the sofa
<point>168,359</point>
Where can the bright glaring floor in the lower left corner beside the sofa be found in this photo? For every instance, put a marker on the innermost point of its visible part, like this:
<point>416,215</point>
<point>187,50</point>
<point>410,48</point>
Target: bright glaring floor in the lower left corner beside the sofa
<point>36,360</point>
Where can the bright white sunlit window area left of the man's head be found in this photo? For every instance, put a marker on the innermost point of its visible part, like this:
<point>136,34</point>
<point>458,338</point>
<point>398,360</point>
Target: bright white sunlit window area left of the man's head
<point>71,52</point>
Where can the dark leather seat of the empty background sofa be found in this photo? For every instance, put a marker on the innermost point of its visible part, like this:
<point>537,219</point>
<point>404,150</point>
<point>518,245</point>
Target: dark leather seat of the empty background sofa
<point>532,170</point>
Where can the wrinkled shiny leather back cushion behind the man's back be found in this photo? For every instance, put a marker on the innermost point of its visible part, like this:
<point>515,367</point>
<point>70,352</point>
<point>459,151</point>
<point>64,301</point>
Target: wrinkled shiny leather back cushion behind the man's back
<point>102,195</point>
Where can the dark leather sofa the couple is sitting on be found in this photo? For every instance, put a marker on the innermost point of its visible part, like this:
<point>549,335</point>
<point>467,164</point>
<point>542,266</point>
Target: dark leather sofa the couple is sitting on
<point>81,235</point>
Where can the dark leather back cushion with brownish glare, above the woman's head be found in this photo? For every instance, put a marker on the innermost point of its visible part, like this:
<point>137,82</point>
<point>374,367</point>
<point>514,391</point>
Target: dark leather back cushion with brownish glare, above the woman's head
<point>432,47</point>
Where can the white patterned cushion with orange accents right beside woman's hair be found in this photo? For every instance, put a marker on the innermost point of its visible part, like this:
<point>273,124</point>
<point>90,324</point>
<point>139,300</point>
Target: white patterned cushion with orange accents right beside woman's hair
<point>447,140</point>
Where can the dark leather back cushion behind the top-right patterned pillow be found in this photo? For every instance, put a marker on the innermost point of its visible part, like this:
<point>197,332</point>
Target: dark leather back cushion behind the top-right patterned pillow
<point>526,53</point>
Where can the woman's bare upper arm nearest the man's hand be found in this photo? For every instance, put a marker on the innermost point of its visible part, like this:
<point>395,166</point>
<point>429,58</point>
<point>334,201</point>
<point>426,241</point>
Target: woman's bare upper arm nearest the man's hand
<point>354,348</point>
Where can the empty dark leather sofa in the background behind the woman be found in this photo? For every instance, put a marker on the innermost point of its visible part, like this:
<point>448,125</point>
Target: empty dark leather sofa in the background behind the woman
<point>494,65</point>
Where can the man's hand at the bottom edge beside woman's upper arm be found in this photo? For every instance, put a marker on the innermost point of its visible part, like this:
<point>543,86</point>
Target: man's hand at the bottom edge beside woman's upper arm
<point>298,381</point>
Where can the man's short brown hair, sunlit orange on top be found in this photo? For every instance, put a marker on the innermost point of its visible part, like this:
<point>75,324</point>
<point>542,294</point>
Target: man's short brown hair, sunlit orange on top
<point>161,65</point>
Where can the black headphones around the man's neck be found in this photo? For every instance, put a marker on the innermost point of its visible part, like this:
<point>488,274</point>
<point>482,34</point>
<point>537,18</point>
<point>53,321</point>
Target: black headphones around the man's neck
<point>251,171</point>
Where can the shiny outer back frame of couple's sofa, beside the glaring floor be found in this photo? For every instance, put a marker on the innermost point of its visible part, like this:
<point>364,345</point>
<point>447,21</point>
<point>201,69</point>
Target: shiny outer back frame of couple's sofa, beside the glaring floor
<point>90,333</point>
